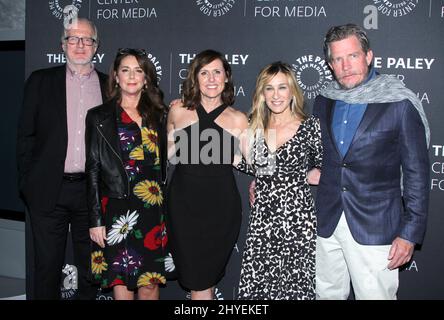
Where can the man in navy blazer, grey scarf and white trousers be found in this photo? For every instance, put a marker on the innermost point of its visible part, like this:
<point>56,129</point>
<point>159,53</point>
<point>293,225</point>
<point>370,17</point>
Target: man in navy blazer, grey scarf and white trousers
<point>372,199</point>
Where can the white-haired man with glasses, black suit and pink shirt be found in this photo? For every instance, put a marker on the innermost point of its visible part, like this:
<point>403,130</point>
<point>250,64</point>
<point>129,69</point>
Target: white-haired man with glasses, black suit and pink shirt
<point>51,159</point>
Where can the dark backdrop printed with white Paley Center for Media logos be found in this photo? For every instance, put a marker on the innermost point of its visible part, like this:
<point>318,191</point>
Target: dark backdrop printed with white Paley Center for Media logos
<point>406,37</point>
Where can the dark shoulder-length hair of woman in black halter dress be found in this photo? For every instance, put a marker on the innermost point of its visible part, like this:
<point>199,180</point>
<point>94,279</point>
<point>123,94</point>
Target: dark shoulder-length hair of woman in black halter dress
<point>191,95</point>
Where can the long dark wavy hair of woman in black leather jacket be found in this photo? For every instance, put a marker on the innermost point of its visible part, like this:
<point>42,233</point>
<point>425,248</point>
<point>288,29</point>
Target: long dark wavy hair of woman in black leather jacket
<point>151,106</point>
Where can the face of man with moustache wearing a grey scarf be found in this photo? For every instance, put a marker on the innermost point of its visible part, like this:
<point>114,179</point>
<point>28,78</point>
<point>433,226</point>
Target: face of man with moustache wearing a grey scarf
<point>349,62</point>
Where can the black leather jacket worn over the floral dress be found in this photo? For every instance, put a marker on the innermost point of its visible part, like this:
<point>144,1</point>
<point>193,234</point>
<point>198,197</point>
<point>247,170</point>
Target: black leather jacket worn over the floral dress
<point>104,167</point>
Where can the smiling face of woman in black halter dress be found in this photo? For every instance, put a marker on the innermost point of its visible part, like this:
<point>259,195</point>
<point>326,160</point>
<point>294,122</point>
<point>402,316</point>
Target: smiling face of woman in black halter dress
<point>212,78</point>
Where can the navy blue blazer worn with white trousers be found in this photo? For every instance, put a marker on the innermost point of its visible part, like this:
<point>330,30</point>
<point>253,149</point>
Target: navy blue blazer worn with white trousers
<point>365,184</point>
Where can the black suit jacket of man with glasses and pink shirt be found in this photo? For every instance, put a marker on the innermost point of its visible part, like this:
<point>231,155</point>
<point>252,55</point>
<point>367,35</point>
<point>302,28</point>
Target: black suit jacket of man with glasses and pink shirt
<point>43,136</point>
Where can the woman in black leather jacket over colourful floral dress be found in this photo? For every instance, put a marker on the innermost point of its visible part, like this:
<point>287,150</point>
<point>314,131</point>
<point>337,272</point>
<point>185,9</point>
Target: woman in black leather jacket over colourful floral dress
<point>126,170</point>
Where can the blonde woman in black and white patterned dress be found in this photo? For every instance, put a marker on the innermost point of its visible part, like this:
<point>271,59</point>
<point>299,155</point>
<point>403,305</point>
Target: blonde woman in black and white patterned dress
<point>279,254</point>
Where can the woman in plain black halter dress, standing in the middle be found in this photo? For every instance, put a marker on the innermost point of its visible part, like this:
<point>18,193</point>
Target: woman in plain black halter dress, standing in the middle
<point>204,207</point>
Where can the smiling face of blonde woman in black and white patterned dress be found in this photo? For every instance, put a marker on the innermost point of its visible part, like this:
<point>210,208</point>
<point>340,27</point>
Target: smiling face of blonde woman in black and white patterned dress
<point>277,94</point>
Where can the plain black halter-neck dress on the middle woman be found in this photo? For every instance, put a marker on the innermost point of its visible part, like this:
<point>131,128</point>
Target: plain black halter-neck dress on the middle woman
<point>204,206</point>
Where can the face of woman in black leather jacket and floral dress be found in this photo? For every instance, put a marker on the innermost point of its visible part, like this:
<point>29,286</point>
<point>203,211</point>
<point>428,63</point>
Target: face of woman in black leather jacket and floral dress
<point>130,76</point>
